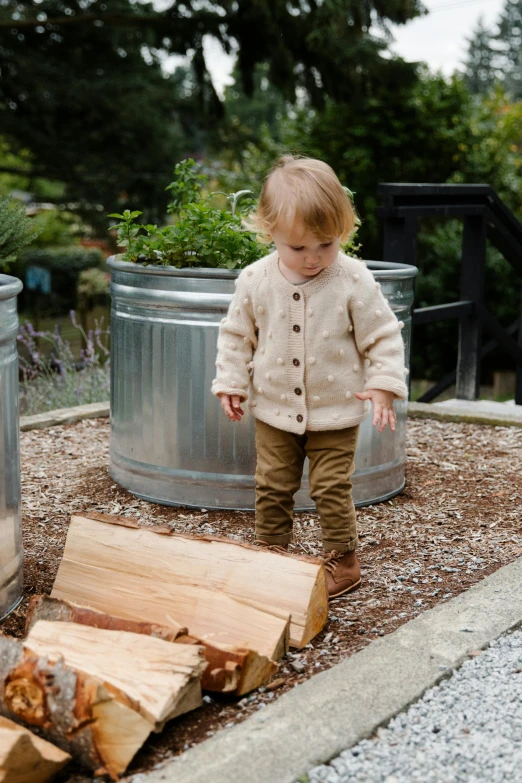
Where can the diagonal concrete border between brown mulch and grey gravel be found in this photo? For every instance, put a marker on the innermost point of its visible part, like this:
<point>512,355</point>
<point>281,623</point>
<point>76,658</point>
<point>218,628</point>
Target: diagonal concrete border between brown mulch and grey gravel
<point>334,710</point>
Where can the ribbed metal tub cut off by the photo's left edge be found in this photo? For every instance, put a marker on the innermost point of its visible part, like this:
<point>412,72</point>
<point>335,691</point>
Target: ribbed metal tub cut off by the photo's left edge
<point>11,551</point>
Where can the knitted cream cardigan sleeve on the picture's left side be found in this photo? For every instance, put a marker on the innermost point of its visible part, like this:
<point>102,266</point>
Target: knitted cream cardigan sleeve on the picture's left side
<point>237,340</point>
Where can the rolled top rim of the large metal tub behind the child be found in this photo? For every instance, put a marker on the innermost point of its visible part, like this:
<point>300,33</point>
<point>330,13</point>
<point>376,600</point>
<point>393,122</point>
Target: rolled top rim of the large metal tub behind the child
<point>382,270</point>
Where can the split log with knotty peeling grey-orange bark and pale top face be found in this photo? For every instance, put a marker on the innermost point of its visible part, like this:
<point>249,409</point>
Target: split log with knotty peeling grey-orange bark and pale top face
<point>95,693</point>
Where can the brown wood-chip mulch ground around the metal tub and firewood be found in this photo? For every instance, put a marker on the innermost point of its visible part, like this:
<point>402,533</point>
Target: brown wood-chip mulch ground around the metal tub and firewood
<point>457,520</point>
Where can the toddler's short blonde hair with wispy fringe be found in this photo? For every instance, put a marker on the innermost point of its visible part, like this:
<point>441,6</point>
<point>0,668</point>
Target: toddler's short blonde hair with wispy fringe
<point>308,190</point>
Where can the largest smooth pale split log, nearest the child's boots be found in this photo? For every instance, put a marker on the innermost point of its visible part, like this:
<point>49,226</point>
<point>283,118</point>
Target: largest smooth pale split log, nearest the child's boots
<point>225,592</point>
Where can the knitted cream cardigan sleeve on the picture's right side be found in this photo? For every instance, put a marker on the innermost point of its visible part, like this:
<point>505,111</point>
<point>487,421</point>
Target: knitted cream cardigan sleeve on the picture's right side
<point>378,337</point>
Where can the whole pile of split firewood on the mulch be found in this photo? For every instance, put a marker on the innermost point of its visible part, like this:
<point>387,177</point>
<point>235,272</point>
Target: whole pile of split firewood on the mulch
<point>140,620</point>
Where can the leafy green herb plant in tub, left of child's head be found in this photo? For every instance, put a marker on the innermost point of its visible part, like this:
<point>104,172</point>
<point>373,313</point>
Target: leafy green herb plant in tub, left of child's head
<point>203,234</point>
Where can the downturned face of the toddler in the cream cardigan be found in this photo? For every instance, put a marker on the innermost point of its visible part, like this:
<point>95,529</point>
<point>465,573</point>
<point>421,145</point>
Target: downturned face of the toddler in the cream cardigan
<point>301,252</point>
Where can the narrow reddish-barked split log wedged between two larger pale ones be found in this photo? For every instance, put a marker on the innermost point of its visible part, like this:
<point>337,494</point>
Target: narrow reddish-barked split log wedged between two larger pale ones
<point>229,670</point>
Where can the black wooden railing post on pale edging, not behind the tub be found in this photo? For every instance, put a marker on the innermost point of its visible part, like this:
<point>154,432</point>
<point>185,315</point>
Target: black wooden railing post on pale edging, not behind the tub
<point>471,287</point>
